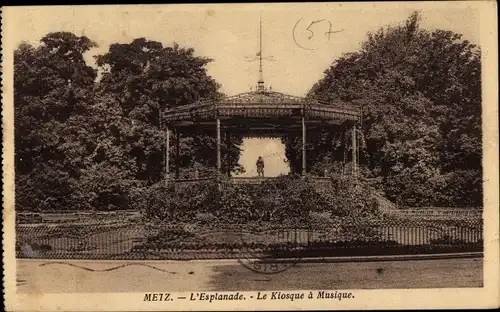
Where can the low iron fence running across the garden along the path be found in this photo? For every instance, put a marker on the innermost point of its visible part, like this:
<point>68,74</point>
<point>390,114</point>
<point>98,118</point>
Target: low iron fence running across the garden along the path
<point>189,241</point>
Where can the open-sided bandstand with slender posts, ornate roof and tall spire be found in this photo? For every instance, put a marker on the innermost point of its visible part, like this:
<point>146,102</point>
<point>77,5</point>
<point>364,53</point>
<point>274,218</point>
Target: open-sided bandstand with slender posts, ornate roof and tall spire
<point>259,113</point>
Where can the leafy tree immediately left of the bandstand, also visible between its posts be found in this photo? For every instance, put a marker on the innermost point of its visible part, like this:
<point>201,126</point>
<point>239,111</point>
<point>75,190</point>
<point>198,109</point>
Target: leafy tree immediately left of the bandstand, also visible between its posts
<point>141,80</point>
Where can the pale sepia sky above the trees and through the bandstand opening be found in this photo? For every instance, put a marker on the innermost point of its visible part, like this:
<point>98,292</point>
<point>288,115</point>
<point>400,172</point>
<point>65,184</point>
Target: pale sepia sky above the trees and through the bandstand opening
<point>229,33</point>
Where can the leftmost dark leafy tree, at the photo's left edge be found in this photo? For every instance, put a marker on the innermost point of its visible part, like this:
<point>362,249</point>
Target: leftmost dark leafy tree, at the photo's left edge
<point>52,94</point>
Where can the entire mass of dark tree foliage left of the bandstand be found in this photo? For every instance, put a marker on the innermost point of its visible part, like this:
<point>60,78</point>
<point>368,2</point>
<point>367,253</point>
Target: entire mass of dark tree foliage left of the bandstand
<point>88,141</point>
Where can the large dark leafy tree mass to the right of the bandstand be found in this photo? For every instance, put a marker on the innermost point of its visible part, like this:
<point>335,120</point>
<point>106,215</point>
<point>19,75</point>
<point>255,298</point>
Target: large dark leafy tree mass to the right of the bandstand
<point>420,93</point>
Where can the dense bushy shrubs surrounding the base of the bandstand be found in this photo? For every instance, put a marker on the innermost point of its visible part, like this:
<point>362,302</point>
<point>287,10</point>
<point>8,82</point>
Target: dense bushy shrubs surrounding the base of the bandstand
<point>288,201</point>
